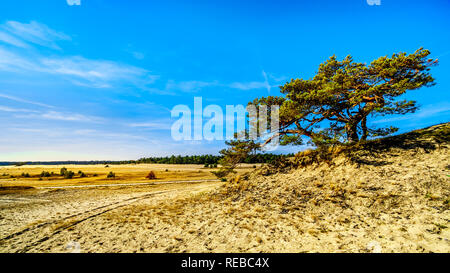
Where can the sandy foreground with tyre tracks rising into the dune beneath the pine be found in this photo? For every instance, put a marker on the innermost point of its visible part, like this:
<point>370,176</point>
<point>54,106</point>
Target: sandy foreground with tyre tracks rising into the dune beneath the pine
<point>394,200</point>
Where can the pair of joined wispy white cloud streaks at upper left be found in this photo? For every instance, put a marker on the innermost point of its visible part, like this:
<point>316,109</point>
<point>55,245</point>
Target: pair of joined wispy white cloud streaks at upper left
<point>76,69</point>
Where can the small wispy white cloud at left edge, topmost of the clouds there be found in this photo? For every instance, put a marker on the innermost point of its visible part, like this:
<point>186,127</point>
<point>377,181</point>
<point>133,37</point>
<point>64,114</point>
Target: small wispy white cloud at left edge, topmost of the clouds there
<point>33,32</point>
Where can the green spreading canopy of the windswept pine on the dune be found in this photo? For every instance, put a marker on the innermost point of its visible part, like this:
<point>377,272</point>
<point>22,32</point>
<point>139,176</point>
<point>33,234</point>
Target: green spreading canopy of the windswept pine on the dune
<point>335,105</point>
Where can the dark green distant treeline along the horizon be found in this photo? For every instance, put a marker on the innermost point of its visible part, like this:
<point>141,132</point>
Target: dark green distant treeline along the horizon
<point>193,159</point>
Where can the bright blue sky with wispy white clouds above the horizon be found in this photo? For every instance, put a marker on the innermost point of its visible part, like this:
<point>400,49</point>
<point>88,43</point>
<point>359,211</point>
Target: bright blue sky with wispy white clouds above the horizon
<point>98,81</point>
